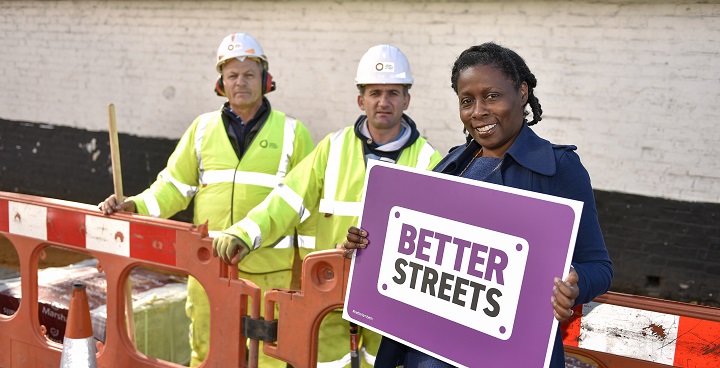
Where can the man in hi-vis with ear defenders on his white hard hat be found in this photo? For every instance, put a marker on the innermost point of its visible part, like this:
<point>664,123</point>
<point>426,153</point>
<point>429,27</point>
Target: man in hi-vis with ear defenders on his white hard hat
<point>229,160</point>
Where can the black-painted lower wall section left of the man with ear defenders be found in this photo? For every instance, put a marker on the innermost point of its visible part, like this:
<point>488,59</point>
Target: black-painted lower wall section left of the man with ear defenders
<point>75,164</point>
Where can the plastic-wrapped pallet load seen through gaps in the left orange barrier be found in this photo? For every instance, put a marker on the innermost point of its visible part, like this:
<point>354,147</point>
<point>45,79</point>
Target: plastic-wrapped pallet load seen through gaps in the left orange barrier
<point>161,325</point>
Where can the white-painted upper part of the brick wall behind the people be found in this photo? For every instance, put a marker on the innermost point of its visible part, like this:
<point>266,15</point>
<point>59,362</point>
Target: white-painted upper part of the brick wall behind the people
<point>634,84</point>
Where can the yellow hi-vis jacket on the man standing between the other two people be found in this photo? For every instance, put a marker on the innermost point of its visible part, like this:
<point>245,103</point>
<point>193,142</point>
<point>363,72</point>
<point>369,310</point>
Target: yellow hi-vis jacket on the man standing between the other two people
<point>328,184</point>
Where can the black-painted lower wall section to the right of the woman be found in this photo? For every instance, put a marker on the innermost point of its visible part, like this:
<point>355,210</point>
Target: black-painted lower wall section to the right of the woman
<point>662,248</point>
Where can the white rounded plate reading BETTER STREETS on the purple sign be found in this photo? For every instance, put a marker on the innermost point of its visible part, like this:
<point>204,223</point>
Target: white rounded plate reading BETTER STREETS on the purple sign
<point>461,272</point>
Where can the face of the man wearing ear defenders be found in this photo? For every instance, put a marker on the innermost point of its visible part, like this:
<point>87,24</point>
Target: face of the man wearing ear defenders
<point>243,83</point>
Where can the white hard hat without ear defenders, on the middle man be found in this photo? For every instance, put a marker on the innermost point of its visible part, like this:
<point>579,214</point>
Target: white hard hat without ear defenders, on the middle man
<point>384,64</point>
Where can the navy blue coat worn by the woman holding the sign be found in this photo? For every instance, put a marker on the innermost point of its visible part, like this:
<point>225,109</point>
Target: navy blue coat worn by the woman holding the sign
<point>534,164</point>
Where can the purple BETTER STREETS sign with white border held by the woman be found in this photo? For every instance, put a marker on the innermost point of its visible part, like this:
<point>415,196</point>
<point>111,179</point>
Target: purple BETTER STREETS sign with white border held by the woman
<point>460,269</point>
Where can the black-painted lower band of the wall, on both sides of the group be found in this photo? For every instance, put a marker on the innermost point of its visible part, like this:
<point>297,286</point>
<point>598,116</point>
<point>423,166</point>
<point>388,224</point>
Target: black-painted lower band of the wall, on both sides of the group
<point>660,248</point>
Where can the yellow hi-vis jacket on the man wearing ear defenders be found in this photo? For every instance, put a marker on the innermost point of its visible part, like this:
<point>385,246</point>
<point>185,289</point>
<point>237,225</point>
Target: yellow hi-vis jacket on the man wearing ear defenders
<point>205,166</point>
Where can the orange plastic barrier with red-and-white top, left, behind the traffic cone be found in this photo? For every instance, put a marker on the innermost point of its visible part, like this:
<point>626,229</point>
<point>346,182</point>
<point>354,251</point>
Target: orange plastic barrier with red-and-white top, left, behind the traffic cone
<point>120,243</point>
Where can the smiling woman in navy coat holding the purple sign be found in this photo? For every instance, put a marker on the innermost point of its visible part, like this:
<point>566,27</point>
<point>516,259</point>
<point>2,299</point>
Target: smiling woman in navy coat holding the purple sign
<point>494,87</point>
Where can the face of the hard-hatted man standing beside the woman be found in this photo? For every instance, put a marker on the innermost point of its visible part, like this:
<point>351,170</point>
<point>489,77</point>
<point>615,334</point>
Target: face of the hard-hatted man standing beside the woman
<point>384,105</point>
